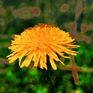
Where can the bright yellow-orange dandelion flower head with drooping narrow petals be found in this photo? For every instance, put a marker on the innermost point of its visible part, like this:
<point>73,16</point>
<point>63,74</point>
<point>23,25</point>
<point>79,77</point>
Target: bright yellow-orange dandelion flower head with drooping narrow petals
<point>38,42</point>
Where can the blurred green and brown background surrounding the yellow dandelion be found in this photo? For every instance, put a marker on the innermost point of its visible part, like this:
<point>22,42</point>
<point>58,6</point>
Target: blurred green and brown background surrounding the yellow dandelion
<point>74,16</point>
